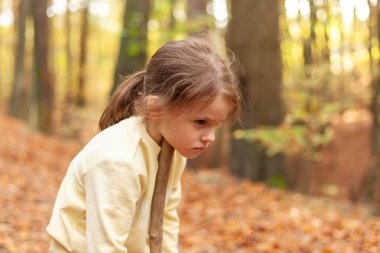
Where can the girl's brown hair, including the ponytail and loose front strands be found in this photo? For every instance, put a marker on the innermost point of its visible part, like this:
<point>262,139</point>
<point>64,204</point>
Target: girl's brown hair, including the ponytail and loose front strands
<point>183,74</point>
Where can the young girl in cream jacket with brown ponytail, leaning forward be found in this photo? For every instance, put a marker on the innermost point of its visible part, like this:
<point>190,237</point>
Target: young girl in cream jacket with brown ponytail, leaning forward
<point>103,204</point>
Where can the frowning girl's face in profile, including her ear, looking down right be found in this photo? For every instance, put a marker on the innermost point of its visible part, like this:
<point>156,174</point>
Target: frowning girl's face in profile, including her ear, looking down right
<point>192,131</point>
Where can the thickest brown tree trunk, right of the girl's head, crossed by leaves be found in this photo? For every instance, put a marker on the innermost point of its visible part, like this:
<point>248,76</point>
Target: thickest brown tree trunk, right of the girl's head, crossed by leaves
<point>253,35</point>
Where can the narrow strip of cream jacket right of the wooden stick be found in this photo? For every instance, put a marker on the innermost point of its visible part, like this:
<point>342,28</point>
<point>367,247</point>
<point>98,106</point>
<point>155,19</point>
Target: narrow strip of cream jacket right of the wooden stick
<point>171,219</point>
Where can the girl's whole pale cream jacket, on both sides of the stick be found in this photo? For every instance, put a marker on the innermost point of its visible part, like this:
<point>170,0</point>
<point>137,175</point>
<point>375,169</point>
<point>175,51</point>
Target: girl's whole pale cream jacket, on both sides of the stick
<point>103,204</point>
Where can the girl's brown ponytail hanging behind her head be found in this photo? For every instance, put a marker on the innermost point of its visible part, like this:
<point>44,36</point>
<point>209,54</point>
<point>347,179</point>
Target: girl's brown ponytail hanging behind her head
<point>122,104</point>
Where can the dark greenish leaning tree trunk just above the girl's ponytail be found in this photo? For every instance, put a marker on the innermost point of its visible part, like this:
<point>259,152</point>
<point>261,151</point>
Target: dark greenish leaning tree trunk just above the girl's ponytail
<point>133,44</point>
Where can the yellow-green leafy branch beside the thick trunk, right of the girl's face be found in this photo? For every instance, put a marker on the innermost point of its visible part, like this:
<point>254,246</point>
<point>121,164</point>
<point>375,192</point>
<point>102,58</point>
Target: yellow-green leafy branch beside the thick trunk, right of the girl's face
<point>306,128</point>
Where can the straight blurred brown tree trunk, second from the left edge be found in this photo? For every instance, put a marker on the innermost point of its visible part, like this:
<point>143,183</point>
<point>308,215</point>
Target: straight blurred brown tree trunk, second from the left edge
<point>43,85</point>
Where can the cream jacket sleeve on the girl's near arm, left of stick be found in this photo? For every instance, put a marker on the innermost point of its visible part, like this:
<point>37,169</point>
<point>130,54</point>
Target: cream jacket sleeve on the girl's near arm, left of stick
<point>112,190</point>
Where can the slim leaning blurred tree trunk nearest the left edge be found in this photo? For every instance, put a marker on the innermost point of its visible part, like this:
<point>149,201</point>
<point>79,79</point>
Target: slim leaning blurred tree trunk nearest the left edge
<point>17,101</point>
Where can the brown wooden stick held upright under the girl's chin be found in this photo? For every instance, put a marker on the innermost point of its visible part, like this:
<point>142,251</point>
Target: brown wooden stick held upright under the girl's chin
<point>158,199</point>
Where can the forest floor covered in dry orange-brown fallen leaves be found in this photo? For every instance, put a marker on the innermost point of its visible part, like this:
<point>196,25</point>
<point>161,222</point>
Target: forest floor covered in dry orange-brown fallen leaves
<point>218,213</point>
